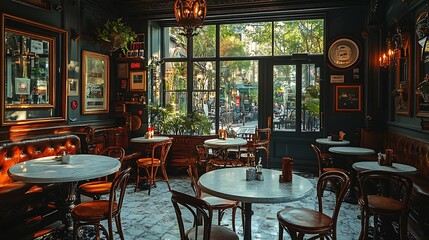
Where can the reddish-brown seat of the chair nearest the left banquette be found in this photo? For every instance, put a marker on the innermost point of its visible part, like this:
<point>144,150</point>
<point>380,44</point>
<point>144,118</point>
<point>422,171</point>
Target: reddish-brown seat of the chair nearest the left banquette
<point>93,211</point>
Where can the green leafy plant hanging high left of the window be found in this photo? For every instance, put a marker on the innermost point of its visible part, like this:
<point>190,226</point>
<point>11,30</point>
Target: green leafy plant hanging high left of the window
<point>115,35</point>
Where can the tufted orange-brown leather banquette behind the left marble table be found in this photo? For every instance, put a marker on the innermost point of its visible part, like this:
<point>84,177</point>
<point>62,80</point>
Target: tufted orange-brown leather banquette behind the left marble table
<point>29,208</point>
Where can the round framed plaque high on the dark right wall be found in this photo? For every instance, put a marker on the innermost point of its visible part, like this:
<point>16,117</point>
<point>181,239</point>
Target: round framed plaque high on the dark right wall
<point>343,53</point>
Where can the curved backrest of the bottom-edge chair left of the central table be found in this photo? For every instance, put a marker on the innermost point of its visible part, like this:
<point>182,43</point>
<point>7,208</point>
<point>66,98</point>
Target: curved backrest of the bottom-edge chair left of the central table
<point>199,209</point>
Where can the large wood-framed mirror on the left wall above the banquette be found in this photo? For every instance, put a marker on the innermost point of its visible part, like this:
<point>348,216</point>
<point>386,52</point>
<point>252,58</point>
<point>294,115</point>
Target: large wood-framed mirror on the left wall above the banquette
<point>32,81</point>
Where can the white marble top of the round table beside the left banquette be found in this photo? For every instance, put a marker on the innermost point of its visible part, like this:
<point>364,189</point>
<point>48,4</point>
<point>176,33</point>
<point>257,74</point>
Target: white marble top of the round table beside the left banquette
<point>51,170</point>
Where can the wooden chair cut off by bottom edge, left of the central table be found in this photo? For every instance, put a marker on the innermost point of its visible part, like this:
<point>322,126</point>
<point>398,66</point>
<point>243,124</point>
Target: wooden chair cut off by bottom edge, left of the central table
<point>202,213</point>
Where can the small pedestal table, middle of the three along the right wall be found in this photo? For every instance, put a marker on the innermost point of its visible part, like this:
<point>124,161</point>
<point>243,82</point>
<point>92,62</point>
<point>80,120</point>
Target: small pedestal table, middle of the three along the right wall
<point>351,153</point>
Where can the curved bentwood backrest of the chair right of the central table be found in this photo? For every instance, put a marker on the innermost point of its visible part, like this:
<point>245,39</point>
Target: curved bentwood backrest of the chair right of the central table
<point>340,183</point>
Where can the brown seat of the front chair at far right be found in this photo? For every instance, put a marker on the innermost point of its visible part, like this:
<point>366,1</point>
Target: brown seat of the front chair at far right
<point>384,205</point>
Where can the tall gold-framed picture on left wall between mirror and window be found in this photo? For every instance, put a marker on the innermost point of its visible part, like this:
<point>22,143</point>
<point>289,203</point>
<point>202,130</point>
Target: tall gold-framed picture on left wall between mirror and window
<point>95,83</point>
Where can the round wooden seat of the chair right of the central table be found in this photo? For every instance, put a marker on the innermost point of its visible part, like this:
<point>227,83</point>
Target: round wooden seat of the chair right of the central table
<point>303,218</point>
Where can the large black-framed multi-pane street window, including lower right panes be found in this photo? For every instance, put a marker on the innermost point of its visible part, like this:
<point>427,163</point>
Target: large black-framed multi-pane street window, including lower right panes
<point>219,75</point>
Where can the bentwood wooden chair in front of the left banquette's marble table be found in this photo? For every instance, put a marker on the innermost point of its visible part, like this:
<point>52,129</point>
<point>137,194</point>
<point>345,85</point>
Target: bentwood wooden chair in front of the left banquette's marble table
<point>93,212</point>
